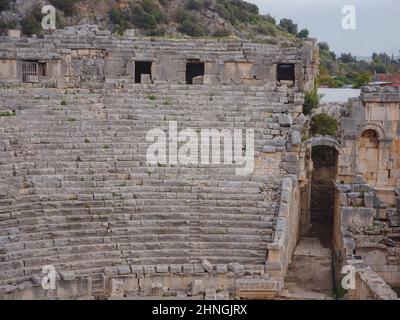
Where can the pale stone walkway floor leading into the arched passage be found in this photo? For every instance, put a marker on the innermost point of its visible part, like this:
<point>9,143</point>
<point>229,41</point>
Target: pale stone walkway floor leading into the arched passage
<point>310,276</point>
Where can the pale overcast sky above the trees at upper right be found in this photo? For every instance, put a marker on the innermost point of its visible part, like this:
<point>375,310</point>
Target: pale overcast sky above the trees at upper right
<point>377,24</point>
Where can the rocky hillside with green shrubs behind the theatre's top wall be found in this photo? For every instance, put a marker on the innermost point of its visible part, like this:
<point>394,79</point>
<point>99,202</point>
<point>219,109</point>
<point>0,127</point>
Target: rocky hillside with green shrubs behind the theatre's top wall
<point>194,18</point>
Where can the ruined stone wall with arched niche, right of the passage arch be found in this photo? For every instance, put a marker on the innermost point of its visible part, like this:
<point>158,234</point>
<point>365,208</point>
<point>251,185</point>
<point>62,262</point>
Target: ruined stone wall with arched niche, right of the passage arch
<point>370,139</point>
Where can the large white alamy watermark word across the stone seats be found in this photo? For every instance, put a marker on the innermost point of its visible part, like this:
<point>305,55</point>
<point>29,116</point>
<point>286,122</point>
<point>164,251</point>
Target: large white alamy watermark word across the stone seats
<point>190,147</point>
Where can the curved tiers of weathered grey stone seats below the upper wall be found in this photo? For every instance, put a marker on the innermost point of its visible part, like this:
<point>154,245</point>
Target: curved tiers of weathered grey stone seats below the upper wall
<point>76,190</point>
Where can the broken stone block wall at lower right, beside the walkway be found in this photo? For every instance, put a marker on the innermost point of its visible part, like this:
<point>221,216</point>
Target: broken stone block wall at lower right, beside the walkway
<point>364,236</point>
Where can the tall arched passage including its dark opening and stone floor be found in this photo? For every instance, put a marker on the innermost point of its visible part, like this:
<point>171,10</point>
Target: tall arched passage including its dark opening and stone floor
<point>310,275</point>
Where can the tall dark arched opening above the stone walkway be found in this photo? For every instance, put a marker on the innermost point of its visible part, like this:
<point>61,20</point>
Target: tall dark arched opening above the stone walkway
<point>323,193</point>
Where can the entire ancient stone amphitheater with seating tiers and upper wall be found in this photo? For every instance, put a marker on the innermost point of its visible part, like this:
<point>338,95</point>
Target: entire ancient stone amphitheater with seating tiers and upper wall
<point>77,193</point>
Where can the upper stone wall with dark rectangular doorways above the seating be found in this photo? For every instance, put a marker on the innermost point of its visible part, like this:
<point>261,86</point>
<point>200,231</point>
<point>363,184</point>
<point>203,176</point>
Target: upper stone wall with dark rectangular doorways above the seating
<point>81,54</point>
